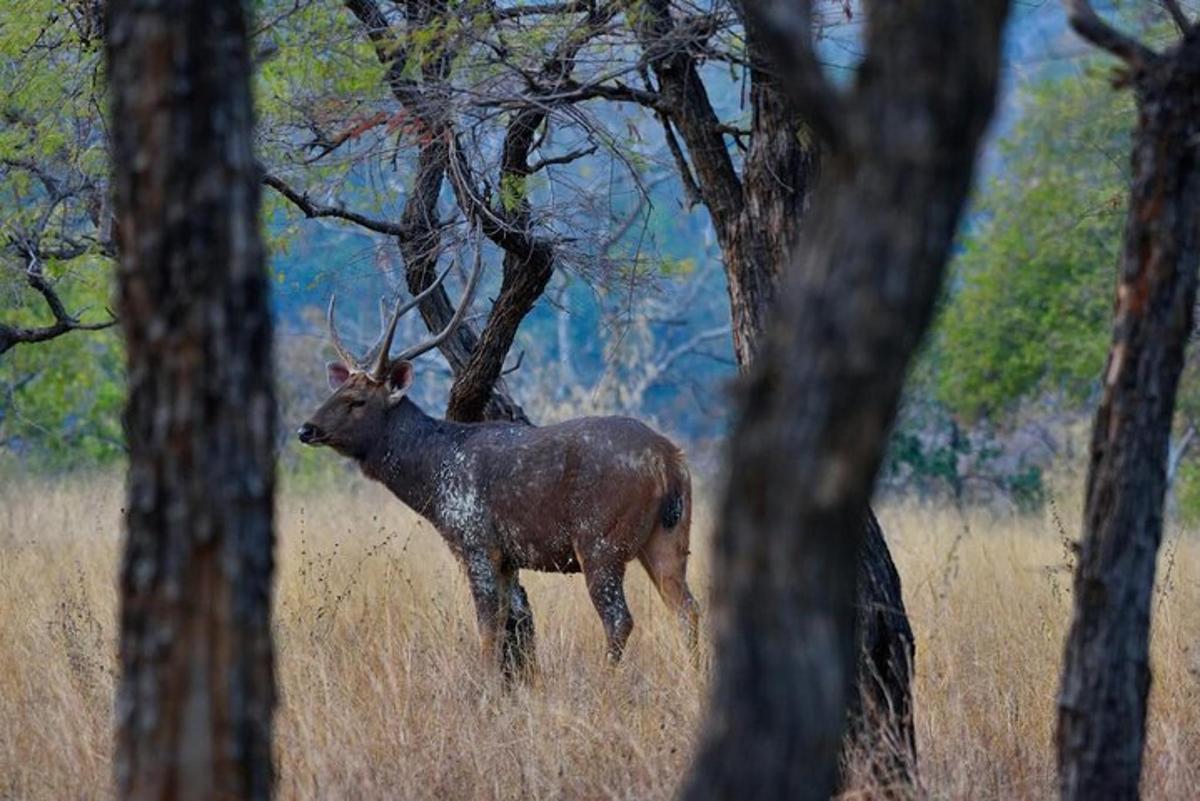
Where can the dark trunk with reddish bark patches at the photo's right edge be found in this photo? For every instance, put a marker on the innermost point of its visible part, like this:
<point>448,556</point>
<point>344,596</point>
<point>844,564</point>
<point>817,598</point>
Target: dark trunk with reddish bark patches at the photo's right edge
<point>1102,704</point>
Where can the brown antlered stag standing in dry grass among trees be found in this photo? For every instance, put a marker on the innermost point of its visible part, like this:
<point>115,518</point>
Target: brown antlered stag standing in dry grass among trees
<point>590,495</point>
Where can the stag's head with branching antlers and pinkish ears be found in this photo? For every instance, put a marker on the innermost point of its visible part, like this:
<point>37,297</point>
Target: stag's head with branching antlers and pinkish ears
<point>353,419</point>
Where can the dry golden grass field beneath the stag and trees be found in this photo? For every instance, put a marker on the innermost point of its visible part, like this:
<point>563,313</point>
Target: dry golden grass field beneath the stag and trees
<point>382,696</point>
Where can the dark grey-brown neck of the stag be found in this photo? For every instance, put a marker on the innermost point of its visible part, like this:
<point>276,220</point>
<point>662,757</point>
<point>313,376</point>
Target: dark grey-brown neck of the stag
<point>410,457</point>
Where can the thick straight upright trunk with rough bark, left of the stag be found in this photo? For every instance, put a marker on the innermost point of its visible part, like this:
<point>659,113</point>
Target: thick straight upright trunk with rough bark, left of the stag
<point>197,685</point>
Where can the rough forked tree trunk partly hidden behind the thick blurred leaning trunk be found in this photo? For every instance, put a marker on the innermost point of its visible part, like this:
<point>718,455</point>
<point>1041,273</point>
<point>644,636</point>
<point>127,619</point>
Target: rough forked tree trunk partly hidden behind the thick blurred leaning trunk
<point>758,218</point>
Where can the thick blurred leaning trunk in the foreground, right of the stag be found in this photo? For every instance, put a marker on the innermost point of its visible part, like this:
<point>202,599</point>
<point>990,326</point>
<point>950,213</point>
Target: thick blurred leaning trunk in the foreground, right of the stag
<point>819,403</point>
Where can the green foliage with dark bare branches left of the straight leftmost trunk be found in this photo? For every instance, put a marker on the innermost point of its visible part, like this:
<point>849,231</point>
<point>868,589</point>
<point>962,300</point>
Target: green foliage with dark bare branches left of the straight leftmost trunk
<point>58,394</point>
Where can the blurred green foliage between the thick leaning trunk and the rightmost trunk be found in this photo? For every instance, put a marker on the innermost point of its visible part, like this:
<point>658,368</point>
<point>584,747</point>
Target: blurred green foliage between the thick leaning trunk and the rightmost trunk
<point>1031,297</point>
